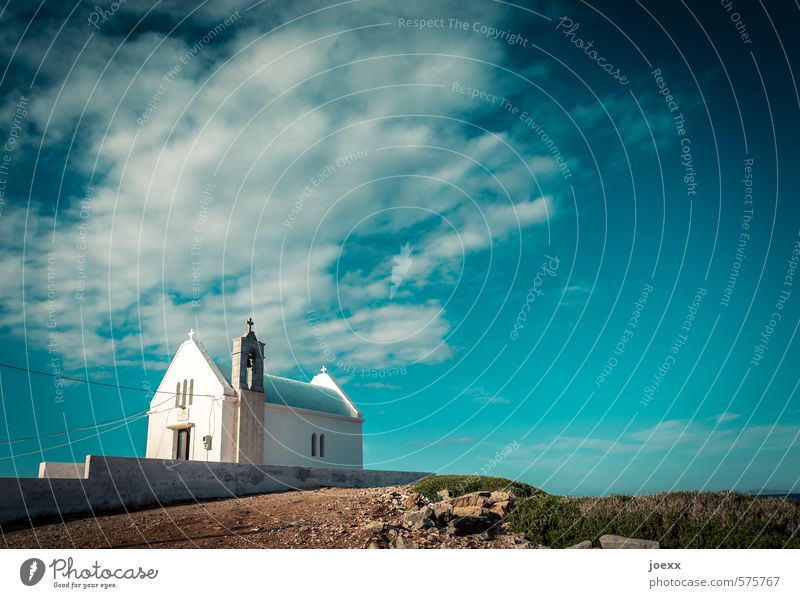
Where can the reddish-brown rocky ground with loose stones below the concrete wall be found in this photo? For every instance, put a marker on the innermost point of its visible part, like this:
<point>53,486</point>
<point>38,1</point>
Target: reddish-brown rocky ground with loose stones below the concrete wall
<point>393,517</point>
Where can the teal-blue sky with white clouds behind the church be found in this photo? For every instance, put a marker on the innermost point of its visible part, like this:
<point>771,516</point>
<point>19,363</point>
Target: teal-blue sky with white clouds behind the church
<point>564,228</point>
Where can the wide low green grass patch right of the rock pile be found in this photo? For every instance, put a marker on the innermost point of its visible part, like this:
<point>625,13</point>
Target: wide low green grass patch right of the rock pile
<point>675,519</point>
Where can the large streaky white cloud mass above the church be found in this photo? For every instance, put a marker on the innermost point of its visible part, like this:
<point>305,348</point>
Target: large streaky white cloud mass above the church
<point>225,120</point>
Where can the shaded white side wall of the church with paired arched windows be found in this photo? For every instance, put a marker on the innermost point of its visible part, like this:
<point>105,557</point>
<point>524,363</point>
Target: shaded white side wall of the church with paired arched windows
<point>288,433</point>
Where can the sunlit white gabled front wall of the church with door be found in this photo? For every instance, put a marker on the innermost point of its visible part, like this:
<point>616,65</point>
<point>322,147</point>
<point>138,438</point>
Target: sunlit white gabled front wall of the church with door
<point>205,416</point>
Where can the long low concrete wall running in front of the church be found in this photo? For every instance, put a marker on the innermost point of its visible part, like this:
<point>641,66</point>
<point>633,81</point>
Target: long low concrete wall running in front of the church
<point>114,483</point>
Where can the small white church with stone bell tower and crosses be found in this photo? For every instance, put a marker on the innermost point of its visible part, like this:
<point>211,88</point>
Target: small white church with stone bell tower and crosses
<point>198,415</point>
